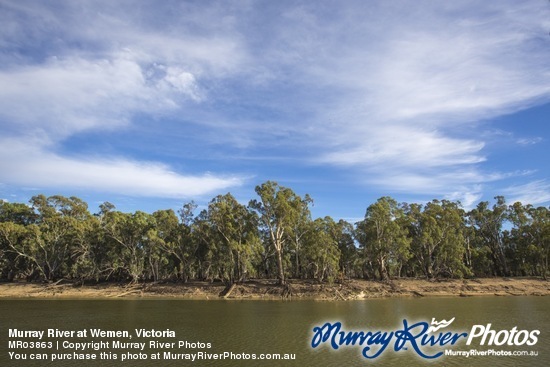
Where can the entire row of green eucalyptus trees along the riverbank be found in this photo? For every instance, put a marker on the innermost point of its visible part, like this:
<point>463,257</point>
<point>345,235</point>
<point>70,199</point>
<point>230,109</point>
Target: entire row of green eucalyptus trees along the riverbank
<point>274,236</point>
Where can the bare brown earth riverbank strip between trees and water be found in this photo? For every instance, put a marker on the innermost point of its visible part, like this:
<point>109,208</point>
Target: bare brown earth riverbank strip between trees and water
<point>297,289</point>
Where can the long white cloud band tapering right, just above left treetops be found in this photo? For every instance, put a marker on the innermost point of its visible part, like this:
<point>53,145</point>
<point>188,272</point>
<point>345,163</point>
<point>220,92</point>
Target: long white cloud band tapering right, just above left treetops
<point>34,164</point>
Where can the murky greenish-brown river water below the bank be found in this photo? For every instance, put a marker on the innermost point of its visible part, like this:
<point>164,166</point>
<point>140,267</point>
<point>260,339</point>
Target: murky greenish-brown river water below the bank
<point>260,328</point>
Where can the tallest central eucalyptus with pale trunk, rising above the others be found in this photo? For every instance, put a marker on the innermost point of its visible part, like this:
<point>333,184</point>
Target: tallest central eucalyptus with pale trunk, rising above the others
<point>279,208</point>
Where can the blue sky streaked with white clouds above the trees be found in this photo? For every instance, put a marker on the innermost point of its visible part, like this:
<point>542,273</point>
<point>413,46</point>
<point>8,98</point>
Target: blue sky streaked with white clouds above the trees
<point>151,104</point>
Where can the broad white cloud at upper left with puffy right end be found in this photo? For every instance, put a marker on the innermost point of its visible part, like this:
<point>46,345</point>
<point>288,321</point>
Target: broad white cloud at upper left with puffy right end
<point>63,97</point>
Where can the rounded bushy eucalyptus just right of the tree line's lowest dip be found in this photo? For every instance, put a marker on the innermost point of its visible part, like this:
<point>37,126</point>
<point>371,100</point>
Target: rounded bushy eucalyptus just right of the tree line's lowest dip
<point>382,236</point>
